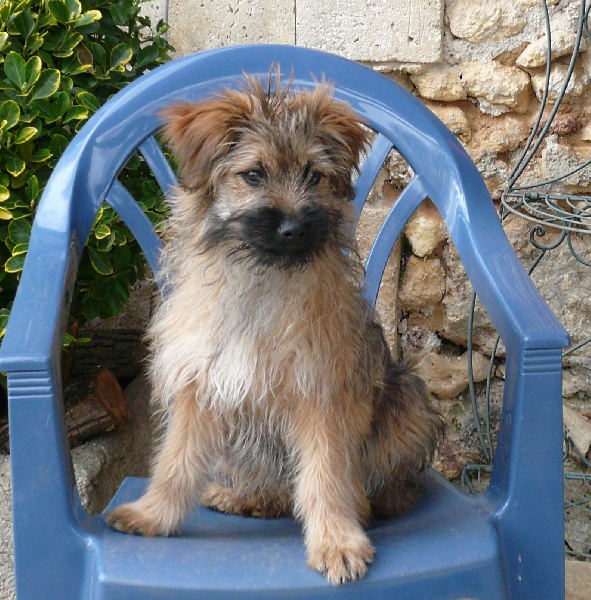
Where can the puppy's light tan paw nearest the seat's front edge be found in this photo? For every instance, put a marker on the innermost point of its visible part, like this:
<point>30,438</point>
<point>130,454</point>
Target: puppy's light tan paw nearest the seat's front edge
<point>342,561</point>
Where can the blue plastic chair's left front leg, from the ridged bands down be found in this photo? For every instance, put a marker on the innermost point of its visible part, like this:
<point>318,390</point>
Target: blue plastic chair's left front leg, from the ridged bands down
<point>49,543</point>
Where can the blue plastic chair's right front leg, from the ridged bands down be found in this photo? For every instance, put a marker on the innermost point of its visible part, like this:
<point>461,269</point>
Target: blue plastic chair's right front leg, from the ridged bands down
<point>530,522</point>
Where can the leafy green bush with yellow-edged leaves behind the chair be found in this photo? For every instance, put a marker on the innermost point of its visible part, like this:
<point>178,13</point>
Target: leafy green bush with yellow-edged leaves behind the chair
<point>60,60</point>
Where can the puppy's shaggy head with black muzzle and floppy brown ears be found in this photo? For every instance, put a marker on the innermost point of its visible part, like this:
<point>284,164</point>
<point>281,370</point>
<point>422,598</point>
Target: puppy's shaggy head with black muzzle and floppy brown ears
<point>268,170</point>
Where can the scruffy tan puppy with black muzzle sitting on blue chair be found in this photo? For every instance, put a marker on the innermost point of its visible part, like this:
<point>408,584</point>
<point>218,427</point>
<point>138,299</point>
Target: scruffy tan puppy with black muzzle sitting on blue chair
<point>281,393</point>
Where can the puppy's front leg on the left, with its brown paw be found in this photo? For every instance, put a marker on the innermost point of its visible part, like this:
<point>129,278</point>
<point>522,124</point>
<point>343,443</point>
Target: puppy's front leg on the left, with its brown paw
<point>179,472</point>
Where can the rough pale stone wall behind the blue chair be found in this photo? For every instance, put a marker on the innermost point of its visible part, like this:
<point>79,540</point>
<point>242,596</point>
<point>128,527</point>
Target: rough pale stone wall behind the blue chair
<point>480,67</point>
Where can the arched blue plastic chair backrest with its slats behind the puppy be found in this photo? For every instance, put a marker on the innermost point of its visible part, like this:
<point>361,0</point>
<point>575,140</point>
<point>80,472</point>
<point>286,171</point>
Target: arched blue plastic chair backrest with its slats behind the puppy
<point>444,172</point>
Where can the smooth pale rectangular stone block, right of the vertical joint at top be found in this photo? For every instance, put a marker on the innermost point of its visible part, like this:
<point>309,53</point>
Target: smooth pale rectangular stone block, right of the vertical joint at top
<point>375,30</point>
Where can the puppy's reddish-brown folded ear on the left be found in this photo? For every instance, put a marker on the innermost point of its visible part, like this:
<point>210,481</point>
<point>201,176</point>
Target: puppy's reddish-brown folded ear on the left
<point>200,134</point>
